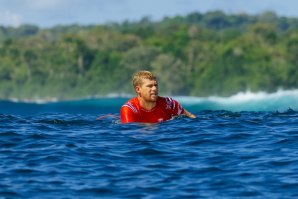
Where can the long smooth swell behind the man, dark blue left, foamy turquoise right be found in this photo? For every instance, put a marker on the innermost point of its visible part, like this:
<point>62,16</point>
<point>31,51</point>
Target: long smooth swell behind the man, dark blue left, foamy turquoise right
<point>244,101</point>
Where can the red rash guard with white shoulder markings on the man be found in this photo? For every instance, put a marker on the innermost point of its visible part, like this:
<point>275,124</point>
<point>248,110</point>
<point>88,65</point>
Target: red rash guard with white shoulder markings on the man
<point>164,110</point>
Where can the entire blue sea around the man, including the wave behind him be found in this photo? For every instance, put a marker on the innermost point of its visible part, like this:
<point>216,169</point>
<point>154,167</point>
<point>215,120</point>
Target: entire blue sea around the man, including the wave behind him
<point>242,146</point>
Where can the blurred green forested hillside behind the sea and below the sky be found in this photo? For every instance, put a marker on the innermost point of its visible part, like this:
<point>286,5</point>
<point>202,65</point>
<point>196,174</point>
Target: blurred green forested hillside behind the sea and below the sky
<point>197,54</point>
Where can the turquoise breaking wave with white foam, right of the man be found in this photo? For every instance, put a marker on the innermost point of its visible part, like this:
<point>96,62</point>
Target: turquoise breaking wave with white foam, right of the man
<point>242,101</point>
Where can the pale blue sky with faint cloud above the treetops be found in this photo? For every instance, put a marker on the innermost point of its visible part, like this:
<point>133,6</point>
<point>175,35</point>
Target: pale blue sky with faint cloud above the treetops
<point>49,13</point>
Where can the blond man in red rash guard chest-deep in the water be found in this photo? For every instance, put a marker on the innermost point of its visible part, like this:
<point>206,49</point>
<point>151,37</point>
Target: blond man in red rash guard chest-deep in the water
<point>147,106</point>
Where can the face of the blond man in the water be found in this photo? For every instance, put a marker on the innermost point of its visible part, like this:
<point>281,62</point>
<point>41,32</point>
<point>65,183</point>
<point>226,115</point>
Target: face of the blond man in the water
<point>148,91</point>
